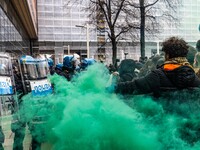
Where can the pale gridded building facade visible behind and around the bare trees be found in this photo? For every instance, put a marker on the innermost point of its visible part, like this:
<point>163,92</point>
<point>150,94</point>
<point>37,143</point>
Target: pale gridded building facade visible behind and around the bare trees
<point>59,34</point>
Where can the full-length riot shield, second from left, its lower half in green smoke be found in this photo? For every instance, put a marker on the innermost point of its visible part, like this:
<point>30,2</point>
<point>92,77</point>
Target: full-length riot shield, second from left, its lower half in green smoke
<point>34,72</point>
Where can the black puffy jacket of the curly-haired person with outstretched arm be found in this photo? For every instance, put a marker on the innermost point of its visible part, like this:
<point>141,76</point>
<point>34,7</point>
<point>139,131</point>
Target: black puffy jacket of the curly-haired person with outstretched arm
<point>182,77</point>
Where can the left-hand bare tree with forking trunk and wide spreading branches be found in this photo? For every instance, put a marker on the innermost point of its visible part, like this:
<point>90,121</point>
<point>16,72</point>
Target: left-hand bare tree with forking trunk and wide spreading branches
<point>113,17</point>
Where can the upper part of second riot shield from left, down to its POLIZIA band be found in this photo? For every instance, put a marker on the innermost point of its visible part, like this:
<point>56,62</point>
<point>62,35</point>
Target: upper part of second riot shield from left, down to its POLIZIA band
<point>34,73</point>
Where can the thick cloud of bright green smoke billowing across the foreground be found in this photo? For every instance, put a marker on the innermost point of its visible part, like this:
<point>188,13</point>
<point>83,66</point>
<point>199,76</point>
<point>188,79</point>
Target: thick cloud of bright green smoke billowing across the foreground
<point>83,115</point>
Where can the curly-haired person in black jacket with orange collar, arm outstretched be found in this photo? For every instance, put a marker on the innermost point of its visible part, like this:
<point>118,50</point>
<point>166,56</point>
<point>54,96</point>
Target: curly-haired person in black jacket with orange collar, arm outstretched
<point>176,73</point>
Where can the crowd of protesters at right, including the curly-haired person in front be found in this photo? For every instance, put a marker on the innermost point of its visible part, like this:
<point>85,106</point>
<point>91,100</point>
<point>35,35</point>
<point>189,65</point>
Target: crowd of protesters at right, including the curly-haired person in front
<point>175,68</point>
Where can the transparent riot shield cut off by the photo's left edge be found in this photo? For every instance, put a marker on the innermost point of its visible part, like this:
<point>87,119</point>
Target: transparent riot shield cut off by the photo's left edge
<point>8,100</point>
